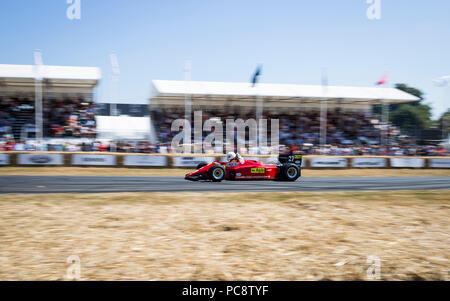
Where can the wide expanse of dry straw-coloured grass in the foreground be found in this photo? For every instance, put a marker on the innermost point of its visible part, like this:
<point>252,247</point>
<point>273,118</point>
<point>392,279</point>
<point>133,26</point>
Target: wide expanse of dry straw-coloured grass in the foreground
<point>208,236</point>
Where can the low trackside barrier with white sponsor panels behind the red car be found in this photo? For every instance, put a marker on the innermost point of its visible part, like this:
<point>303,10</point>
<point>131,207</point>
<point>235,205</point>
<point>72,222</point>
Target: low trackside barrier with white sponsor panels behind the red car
<point>189,161</point>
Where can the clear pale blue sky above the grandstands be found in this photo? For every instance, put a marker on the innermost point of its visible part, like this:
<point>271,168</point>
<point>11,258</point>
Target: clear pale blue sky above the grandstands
<point>225,40</point>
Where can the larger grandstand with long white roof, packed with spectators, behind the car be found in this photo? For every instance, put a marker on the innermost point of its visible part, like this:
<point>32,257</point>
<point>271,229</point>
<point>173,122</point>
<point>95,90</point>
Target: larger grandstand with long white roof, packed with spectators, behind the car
<point>300,109</point>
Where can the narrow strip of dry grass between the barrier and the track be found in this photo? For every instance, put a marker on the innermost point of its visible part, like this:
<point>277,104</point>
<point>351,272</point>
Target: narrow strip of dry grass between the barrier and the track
<point>95,171</point>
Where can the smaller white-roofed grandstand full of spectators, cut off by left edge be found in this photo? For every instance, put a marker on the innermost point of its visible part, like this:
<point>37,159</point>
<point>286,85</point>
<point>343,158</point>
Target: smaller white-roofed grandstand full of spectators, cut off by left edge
<point>68,95</point>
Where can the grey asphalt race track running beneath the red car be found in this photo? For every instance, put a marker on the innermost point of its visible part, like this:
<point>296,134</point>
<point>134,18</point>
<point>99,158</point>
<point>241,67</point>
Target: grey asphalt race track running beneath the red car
<point>62,184</point>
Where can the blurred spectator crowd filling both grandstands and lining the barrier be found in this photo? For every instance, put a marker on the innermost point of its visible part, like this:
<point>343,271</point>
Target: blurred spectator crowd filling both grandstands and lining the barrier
<point>71,122</point>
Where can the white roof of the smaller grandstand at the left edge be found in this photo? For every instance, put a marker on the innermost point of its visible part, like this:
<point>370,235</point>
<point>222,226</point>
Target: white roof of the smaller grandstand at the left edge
<point>50,72</point>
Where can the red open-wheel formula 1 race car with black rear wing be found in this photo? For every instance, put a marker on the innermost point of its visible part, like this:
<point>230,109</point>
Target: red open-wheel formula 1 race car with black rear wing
<point>287,169</point>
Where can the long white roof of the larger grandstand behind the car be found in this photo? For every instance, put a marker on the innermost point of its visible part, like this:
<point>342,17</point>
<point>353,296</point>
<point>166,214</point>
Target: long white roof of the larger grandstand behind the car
<point>167,88</point>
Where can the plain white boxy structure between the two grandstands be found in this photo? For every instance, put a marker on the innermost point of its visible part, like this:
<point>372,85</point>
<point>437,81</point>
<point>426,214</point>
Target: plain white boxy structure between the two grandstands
<point>123,127</point>
